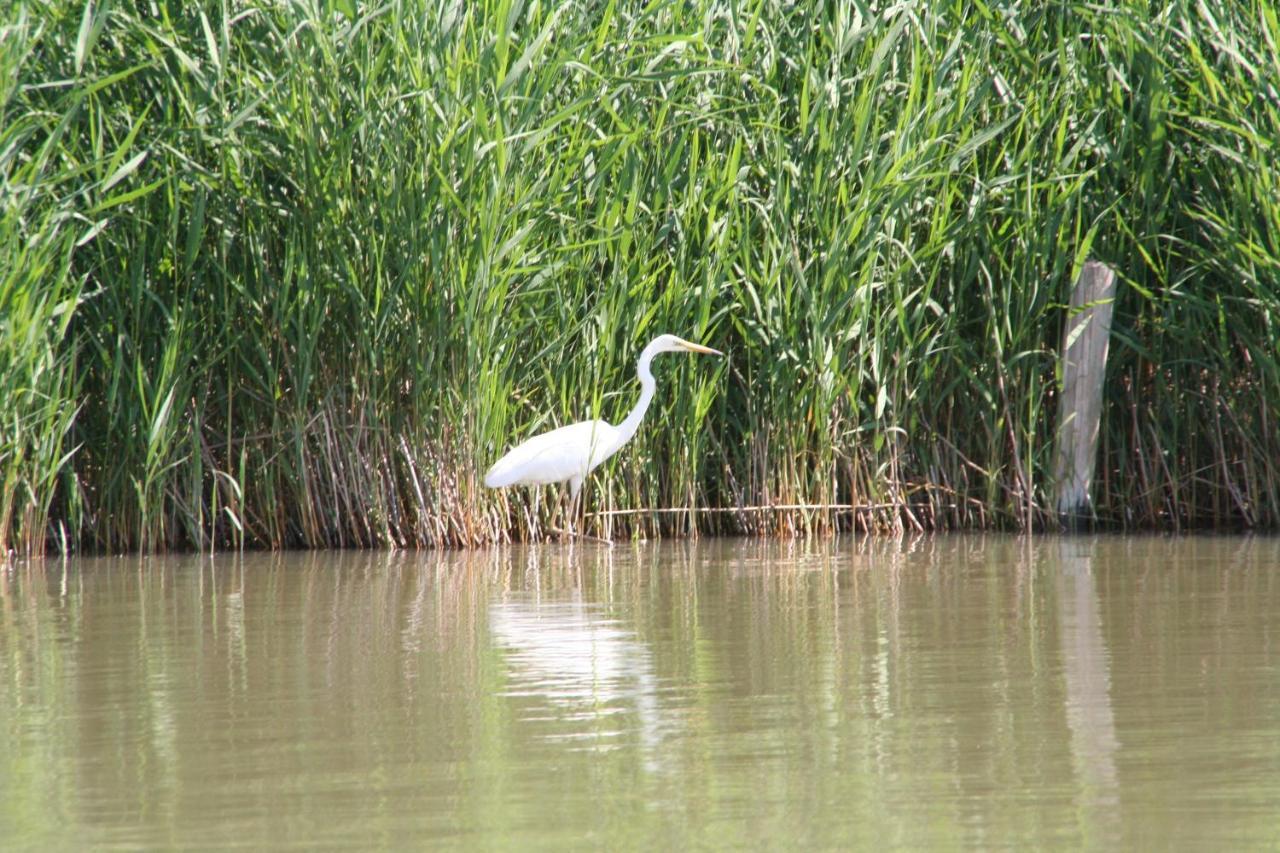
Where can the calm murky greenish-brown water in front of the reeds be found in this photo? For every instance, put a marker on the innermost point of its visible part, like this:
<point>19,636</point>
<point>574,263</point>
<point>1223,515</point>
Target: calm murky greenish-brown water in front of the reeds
<point>947,692</point>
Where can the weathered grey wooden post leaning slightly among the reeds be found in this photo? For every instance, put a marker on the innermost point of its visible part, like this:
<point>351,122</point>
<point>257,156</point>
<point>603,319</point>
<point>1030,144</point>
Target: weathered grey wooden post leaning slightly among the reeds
<point>1085,361</point>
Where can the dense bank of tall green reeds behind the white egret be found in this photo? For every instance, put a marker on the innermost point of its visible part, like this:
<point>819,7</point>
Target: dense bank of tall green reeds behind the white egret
<point>294,275</point>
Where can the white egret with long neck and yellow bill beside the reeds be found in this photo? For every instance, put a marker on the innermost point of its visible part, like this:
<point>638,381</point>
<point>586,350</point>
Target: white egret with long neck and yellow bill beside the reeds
<point>572,453</point>
